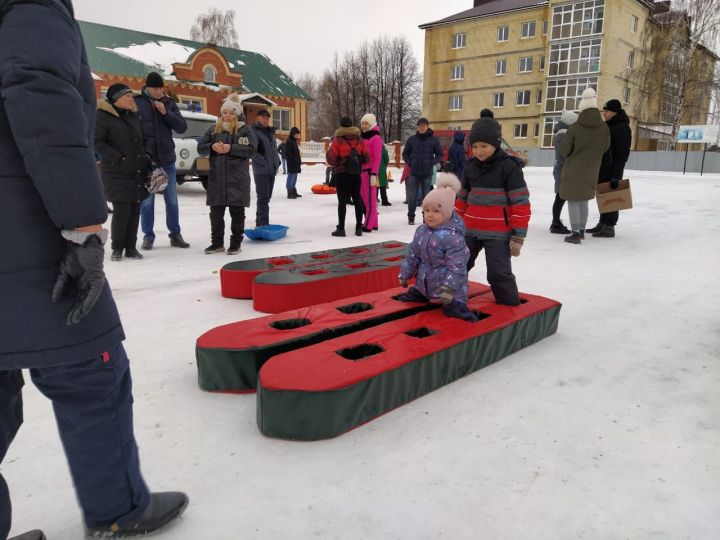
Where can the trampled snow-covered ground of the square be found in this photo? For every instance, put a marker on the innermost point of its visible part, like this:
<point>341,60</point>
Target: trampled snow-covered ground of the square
<point>608,429</point>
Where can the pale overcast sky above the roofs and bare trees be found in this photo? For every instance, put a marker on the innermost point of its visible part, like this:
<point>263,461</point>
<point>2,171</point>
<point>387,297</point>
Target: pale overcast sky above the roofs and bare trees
<point>300,36</point>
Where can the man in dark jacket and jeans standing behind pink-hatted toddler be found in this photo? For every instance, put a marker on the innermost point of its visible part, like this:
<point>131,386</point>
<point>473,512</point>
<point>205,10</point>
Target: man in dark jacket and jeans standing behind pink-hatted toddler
<point>422,152</point>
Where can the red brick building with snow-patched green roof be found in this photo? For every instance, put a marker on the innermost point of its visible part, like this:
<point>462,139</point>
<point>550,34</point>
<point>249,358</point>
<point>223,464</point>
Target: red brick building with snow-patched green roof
<point>198,76</point>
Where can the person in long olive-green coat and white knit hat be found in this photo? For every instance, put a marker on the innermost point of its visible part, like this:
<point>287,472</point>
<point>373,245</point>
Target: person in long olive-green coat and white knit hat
<point>583,146</point>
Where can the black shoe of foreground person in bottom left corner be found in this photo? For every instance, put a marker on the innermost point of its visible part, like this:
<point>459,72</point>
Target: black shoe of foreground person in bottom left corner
<point>164,508</point>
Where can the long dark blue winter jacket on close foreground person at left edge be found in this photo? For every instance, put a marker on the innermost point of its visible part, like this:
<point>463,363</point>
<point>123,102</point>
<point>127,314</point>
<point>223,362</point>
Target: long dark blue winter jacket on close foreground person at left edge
<point>48,182</point>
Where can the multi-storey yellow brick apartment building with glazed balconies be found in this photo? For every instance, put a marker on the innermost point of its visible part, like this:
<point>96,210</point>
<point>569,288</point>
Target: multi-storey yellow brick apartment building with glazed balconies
<point>528,60</point>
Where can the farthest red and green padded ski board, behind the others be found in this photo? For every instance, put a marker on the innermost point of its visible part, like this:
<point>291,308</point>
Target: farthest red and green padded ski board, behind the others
<point>236,278</point>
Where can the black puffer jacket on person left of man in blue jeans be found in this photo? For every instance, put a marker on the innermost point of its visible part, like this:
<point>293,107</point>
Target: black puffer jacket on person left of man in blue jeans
<point>123,162</point>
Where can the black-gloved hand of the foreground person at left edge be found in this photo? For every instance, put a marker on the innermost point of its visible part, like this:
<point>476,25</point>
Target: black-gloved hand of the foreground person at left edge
<point>81,271</point>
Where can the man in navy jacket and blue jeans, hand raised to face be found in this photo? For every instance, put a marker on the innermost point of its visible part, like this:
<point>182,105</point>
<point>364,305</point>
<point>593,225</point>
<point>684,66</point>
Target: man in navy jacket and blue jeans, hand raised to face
<point>160,116</point>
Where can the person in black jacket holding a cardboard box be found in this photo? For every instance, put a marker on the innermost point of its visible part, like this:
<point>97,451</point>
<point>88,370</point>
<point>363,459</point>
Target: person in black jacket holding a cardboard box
<point>612,168</point>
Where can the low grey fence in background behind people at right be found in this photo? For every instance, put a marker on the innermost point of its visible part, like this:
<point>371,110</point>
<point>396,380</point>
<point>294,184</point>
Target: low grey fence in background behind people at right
<point>642,161</point>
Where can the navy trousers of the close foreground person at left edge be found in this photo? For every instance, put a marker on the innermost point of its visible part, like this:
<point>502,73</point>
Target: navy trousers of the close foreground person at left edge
<point>92,401</point>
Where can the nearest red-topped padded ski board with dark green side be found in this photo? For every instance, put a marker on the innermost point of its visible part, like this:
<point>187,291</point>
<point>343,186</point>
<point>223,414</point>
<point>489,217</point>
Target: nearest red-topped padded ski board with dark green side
<point>324,390</point>
